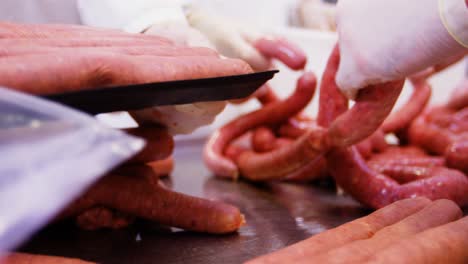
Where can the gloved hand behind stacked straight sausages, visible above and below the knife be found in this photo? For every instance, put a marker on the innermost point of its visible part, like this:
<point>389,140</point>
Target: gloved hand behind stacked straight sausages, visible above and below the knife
<point>231,40</point>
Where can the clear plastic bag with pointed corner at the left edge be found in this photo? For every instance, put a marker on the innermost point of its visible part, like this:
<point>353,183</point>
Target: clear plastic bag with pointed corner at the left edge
<point>49,154</point>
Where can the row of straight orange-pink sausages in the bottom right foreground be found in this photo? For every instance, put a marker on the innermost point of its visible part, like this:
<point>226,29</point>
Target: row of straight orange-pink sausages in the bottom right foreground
<point>408,231</point>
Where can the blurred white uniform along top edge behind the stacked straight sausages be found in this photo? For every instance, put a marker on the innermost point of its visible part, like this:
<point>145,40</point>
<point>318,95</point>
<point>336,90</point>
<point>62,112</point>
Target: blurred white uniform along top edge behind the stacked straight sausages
<point>136,15</point>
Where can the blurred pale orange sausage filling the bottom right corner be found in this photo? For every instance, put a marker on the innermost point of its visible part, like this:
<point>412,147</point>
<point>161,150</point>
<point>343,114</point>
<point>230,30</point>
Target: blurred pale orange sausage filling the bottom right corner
<point>443,244</point>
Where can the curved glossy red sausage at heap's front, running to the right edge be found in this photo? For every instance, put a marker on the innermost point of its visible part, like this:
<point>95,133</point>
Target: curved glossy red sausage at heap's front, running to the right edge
<point>376,190</point>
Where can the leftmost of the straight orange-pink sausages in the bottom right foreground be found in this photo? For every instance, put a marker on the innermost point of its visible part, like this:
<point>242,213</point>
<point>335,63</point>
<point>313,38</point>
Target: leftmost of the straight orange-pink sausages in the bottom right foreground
<point>361,228</point>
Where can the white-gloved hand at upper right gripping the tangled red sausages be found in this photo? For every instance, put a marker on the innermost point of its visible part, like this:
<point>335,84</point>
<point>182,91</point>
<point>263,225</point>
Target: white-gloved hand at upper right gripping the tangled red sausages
<point>383,40</point>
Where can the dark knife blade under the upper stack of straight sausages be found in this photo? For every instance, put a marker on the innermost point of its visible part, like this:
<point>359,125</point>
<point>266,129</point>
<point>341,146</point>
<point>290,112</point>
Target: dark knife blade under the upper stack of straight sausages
<point>139,96</point>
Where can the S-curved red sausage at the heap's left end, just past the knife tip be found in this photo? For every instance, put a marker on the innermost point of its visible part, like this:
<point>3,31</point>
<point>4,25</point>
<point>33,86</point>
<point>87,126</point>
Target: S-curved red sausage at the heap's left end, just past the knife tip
<point>270,114</point>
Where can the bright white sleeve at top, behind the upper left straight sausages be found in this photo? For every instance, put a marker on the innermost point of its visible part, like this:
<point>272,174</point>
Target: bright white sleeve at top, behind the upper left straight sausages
<point>132,16</point>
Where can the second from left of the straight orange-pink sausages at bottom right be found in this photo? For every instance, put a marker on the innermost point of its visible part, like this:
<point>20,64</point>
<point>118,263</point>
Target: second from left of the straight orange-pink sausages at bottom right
<point>435,214</point>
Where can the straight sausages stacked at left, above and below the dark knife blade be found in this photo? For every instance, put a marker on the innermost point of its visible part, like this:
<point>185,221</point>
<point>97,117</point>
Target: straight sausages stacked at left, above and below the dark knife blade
<point>45,59</point>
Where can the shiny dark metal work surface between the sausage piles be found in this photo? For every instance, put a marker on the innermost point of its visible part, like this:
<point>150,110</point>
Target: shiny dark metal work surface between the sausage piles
<point>277,214</point>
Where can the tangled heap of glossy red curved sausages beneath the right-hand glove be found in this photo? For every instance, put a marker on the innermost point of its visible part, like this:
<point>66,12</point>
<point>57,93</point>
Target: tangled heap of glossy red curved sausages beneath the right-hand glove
<point>278,142</point>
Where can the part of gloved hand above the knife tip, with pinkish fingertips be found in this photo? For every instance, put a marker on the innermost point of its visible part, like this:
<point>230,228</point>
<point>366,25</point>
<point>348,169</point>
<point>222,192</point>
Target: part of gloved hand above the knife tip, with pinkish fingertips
<point>234,40</point>
